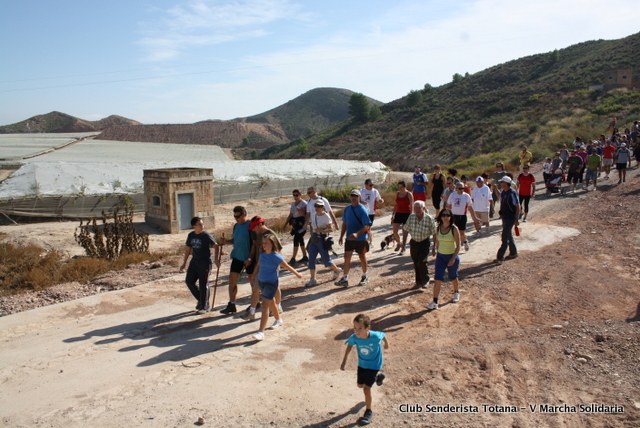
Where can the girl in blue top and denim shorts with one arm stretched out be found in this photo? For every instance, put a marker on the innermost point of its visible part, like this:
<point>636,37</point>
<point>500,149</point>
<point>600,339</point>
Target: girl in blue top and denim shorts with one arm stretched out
<point>267,269</point>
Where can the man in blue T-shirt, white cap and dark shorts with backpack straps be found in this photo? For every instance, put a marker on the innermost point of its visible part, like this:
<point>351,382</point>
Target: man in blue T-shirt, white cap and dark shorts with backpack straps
<point>356,225</point>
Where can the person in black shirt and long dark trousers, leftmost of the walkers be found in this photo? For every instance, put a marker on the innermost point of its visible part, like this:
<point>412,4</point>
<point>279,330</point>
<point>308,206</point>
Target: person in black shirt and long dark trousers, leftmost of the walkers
<point>198,246</point>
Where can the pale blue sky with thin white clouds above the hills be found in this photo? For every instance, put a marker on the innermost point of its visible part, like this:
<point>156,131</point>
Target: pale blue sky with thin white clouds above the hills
<point>175,61</point>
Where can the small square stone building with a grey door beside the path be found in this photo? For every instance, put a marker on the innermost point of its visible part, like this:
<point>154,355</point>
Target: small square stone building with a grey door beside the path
<point>175,195</point>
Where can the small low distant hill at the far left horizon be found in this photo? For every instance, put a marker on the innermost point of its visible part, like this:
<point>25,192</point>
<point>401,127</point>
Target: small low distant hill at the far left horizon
<point>56,122</point>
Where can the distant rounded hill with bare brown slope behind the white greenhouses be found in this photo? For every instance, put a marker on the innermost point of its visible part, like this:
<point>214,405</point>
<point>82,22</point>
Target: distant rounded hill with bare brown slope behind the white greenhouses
<point>310,112</point>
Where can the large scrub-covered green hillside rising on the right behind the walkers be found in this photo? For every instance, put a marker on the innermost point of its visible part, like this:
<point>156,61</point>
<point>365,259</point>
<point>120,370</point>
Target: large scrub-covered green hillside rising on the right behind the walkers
<point>541,100</point>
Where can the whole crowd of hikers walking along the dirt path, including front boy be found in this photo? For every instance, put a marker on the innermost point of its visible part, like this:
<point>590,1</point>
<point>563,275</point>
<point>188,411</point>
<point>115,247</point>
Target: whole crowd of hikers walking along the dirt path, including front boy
<point>457,202</point>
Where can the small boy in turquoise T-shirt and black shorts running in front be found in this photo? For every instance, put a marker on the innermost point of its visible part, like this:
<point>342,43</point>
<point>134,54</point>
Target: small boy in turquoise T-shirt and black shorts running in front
<point>369,359</point>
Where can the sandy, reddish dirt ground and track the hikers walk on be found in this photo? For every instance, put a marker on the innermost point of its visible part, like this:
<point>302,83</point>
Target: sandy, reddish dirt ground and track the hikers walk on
<point>558,326</point>
